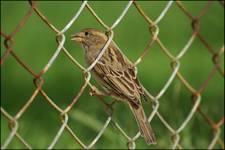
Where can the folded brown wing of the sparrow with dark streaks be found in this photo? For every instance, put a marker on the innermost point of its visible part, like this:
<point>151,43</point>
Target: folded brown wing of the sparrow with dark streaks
<point>118,76</point>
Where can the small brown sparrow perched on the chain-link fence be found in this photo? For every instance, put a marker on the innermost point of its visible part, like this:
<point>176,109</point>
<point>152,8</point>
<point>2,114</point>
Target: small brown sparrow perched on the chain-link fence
<point>116,75</point>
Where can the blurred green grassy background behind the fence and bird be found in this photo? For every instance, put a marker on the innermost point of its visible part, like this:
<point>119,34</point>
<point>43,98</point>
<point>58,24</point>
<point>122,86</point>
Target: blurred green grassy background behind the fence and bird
<point>35,44</point>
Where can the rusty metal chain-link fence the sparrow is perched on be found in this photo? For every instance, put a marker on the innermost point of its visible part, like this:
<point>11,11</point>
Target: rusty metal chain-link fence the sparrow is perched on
<point>38,80</point>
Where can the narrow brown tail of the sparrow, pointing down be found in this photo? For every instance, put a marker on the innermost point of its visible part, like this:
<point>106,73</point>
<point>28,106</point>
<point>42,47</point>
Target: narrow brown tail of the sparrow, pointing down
<point>144,126</point>
